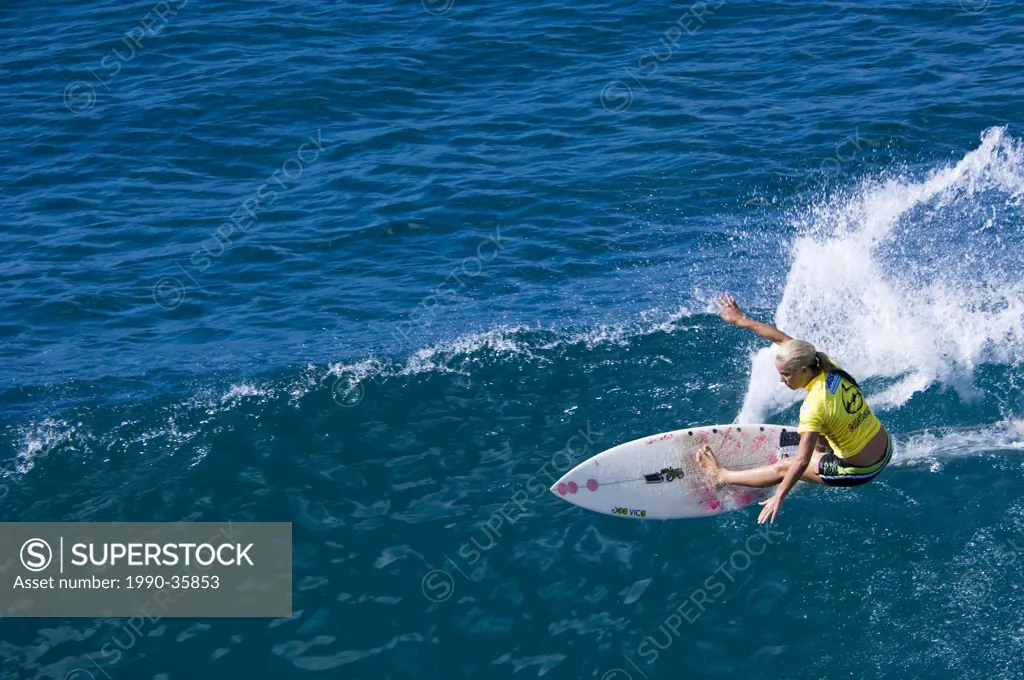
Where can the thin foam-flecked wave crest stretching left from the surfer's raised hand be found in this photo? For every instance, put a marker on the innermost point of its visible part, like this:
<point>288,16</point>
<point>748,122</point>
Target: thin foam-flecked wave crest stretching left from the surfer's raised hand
<point>173,423</point>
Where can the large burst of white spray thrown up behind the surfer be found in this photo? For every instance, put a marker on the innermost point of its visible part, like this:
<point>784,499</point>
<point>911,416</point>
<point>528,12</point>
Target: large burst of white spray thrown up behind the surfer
<point>916,282</point>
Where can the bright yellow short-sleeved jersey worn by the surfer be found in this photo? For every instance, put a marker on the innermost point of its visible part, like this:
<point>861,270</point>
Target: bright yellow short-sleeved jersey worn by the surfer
<point>835,408</point>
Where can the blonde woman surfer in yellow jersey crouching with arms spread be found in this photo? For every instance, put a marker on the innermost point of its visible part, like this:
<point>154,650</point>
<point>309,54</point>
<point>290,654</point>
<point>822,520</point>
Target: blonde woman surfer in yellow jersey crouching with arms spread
<point>842,443</point>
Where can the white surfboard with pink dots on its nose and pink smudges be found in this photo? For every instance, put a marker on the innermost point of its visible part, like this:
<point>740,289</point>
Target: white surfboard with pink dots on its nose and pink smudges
<point>658,478</point>
